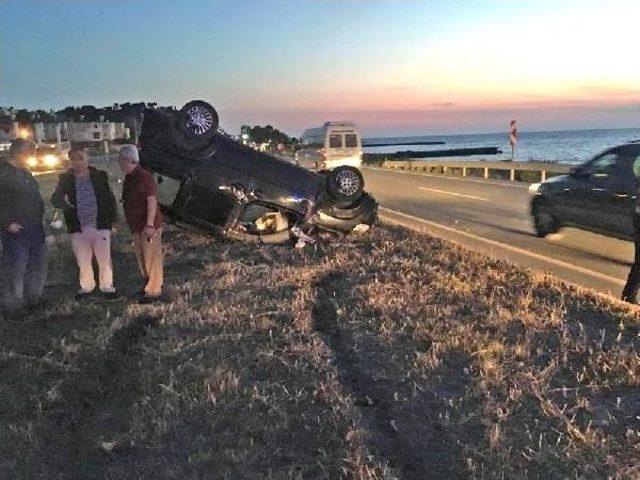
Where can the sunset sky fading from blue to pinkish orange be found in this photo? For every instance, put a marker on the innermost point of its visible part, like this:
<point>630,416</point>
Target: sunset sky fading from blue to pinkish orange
<point>396,67</point>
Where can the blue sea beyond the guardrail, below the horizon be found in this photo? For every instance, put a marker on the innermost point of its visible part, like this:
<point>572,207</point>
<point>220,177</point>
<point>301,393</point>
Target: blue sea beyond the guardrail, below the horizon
<point>573,146</point>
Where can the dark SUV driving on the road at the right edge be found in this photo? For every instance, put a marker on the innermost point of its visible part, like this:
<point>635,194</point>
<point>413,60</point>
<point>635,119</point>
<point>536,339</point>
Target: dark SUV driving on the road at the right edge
<point>599,195</point>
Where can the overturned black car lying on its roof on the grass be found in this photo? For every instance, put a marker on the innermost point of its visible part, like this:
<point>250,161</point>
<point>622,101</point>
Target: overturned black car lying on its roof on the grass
<point>208,180</point>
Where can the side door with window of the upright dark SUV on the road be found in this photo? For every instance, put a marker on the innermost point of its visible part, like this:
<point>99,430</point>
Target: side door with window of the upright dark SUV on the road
<point>610,193</point>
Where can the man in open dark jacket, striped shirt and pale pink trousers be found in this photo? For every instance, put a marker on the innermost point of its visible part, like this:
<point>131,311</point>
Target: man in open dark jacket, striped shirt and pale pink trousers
<point>90,209</point>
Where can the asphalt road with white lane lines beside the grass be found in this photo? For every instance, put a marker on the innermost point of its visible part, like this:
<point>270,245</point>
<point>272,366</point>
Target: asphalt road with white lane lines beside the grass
<point>492,217</point>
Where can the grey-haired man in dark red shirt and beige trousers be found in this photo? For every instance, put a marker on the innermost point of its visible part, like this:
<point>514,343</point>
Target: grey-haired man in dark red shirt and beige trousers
<point>144,219</point>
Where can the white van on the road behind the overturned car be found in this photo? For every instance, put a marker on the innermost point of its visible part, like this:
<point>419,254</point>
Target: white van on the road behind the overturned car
<point>330,146</point>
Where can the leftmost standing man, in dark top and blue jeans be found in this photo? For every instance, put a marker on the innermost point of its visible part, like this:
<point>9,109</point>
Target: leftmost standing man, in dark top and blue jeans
<point>24,267</point>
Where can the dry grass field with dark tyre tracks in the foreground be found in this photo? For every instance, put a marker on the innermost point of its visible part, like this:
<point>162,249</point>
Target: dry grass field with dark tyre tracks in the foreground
<point>390,355</point>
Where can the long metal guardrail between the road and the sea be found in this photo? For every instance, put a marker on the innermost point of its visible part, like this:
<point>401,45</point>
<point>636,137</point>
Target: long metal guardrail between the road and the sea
<point>514,171</point>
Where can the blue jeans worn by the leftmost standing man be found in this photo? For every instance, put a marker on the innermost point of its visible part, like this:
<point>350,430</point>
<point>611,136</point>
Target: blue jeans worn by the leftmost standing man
<point>24,266</point>
